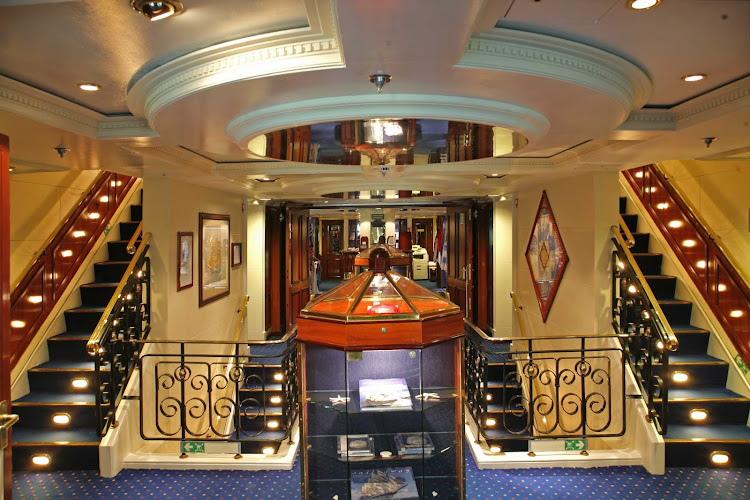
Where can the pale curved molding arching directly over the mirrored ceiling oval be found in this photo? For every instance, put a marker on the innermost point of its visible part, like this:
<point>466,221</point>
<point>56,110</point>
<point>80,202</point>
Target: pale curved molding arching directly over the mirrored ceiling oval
<point>528,122</point>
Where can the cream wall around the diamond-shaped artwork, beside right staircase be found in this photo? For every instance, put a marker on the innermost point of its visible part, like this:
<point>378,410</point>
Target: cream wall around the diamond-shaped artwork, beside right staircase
<point>584,207</point>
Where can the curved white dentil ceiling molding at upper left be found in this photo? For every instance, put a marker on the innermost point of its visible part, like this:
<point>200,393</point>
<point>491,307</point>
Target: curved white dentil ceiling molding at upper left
<point>316,47</point>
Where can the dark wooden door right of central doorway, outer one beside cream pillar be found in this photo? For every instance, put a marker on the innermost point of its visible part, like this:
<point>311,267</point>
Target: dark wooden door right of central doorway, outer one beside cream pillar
<point>483,267</point>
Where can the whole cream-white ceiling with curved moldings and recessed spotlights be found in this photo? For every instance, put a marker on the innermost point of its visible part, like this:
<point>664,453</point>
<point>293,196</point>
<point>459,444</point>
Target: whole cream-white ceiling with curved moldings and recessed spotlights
<point>181,96</point>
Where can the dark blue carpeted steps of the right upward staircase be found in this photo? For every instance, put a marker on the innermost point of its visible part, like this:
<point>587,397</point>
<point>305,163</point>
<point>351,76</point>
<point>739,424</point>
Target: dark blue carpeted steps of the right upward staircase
<point>690,442</point>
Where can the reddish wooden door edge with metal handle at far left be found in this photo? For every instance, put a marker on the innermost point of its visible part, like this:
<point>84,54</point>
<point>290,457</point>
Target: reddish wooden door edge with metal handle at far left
<point>5,303</point>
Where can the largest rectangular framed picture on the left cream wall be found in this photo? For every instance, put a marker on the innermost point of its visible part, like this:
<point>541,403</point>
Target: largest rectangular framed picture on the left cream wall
<point>213,257</point>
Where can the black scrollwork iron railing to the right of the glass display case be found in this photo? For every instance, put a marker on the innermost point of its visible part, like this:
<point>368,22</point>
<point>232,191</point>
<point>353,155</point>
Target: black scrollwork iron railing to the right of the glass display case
<point>545,387</point>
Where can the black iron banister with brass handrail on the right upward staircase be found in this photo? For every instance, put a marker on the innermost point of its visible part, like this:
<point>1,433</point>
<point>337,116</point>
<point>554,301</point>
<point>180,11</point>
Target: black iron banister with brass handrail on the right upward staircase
<point>647,336</point>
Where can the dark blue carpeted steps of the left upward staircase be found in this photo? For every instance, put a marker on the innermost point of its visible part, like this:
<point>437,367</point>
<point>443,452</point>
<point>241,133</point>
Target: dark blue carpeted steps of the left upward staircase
<point>54,395</point>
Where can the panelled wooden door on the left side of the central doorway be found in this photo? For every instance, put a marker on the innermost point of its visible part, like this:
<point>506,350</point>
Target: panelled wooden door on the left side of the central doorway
<point>297,264</point>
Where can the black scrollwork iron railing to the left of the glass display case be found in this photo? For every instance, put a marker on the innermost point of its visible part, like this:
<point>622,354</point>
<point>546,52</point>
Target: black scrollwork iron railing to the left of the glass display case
<point>219,391</point>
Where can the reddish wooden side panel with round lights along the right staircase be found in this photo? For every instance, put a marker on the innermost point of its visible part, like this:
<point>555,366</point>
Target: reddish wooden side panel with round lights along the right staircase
<point>710,265</point>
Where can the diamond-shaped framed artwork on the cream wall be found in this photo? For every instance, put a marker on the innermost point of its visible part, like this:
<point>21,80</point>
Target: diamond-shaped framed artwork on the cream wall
<point>546,256</point>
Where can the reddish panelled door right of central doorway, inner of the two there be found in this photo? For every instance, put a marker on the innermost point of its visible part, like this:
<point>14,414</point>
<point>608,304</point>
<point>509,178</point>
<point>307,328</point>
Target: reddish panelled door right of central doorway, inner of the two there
<point>458,234</point>
